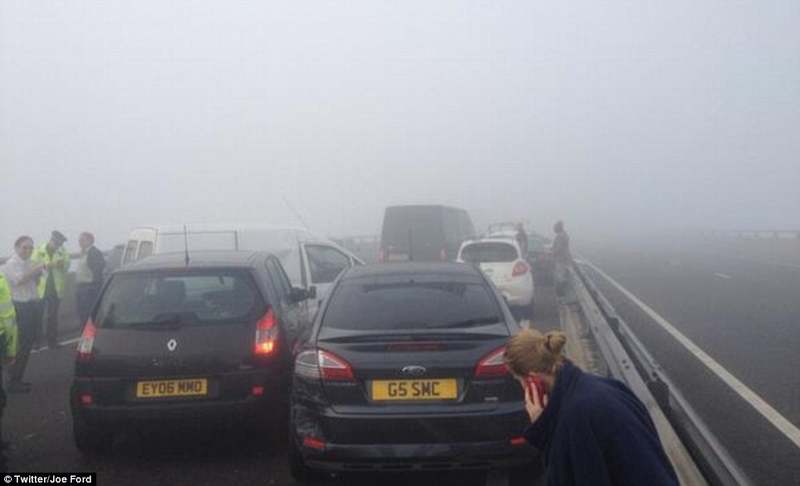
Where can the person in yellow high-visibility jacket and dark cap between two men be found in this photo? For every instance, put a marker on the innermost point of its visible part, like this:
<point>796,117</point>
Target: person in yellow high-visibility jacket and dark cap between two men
<point>51,285</point>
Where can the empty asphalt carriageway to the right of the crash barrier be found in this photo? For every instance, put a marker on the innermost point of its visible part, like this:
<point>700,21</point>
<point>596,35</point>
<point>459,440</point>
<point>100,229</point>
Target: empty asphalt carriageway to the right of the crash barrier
<point>745,314</point>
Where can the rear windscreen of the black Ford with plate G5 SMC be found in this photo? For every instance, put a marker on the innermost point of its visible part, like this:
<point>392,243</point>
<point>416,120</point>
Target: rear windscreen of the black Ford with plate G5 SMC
<point>410,305</point>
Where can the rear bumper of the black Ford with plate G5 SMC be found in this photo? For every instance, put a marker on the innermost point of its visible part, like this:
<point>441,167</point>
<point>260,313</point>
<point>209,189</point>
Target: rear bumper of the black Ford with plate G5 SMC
<point>377,442</point>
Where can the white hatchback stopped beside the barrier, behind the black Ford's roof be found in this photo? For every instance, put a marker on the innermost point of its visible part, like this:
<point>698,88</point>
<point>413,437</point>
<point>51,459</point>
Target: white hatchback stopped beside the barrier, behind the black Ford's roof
<point>500,259</point>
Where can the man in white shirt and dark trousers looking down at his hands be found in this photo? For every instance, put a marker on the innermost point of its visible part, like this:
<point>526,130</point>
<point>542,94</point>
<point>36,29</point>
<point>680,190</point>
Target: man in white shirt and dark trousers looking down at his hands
<point>23,276</point>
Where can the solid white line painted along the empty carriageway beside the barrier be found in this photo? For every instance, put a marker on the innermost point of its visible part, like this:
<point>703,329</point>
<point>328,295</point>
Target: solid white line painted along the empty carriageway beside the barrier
<point>785,427</point>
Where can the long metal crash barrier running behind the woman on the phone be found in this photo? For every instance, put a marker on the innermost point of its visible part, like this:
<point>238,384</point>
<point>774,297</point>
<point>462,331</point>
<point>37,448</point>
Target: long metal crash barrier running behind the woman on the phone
<point>697,455</point>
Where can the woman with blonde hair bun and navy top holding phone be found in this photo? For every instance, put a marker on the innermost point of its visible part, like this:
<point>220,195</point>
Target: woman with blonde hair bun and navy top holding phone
<point>589,430</point>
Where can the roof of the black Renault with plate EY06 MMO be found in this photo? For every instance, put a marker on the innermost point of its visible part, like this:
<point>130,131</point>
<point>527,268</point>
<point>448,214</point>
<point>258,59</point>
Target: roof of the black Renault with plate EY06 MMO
<point>198,259</point>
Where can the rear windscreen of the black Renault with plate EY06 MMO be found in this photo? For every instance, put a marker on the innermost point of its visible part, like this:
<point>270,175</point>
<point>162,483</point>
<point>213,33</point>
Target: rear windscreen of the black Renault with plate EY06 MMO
<point>178,298</point>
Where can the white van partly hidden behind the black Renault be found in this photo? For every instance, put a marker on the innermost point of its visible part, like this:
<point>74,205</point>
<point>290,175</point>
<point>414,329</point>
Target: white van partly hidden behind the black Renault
<point>309,261</point>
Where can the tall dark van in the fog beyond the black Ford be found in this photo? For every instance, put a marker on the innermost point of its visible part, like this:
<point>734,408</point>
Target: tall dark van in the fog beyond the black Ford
<point>424,233</point>
